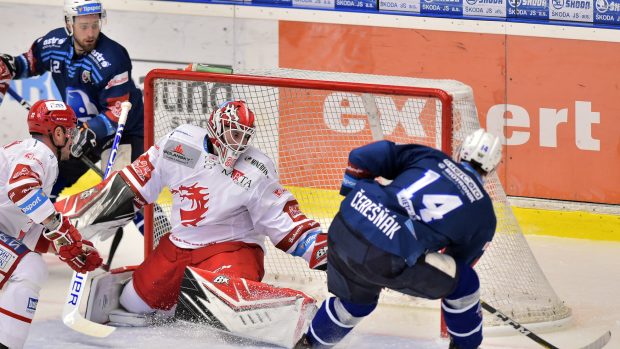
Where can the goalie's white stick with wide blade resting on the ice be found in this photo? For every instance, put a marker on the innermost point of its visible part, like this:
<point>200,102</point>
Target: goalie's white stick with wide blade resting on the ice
<point>71,311</point>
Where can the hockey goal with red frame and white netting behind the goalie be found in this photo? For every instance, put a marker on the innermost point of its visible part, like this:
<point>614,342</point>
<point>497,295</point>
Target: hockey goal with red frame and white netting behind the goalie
<point>308,121</point>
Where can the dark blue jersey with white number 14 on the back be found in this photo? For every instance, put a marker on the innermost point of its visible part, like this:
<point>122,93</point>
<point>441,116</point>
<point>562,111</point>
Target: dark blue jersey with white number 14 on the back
<point>432,202</point>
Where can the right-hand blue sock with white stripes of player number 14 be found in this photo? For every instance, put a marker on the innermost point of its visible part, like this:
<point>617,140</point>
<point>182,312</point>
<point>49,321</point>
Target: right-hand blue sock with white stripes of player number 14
<point>462,312</point>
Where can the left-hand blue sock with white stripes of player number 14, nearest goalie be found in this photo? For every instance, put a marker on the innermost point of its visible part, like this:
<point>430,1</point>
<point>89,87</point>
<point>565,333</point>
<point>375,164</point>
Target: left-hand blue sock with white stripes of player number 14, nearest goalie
<point>334,320</point>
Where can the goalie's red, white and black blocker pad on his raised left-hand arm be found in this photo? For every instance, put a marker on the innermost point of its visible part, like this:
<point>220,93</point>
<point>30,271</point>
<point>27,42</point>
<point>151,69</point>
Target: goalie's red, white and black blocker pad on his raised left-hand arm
<point>101,209</point>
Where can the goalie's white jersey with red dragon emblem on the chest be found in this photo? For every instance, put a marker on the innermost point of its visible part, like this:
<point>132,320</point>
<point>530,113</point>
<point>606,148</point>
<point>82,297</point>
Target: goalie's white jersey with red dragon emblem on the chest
<point>210,204</point>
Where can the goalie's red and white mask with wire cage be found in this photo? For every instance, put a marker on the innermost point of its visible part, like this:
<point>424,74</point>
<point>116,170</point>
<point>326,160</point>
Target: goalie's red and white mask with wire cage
<point>231,129</point>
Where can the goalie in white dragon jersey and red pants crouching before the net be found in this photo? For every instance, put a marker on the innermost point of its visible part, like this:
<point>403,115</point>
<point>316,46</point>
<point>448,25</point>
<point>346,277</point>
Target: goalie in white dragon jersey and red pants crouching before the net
<point>226,199</point>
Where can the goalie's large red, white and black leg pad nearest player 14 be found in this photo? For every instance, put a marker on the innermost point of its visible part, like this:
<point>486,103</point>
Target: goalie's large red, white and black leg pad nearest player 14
<point>245,308</point>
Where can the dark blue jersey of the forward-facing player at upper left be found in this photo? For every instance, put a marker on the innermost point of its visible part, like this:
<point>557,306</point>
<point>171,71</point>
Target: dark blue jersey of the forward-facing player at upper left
<point>94,84</point>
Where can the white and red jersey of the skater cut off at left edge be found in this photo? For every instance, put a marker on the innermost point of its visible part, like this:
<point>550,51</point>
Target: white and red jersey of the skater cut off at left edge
<point>28,170</point>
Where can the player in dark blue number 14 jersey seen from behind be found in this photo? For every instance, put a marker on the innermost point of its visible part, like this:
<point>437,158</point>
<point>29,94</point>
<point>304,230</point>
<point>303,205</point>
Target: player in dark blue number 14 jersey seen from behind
<point>389,235</point>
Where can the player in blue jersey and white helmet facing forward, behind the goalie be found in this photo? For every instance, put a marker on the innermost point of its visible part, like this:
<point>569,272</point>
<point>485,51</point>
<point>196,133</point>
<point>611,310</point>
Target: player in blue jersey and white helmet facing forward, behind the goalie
<point>93,74</point>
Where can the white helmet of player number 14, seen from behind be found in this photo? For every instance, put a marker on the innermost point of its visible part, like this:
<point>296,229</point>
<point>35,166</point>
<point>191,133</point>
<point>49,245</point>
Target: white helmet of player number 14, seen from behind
<point>482,147</point>
